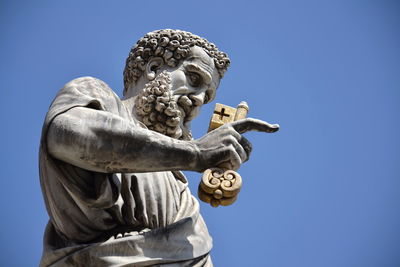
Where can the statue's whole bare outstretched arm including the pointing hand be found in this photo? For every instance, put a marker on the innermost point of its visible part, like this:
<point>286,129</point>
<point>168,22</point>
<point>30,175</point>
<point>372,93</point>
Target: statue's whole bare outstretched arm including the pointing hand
<point>103,142</point>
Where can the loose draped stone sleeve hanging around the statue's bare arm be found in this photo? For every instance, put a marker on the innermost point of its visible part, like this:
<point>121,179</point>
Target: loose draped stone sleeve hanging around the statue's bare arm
<point>78,201</point>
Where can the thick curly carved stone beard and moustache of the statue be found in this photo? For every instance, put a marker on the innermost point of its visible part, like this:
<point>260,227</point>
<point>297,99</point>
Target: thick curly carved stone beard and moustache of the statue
<point>161,111</point>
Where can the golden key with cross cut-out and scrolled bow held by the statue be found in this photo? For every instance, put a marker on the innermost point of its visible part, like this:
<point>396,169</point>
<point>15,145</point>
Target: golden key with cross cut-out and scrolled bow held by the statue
<point>221,186</point>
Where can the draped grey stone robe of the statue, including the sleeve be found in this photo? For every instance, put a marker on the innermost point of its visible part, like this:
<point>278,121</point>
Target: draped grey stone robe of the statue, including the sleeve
<point>115,219</point>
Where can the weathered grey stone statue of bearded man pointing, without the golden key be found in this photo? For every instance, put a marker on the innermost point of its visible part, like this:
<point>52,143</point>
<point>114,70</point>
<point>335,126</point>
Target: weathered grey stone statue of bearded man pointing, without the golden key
<point>110,169</point>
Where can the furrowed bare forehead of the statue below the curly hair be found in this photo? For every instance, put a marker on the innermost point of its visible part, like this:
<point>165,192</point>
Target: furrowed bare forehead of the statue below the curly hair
<point>199,58</point>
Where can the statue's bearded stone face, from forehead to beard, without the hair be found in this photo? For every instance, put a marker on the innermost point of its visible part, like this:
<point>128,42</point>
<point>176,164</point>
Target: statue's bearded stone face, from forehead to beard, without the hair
<point>169,102</point>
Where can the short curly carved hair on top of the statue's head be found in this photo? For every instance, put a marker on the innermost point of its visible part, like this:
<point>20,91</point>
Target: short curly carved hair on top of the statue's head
<point>172,46</point>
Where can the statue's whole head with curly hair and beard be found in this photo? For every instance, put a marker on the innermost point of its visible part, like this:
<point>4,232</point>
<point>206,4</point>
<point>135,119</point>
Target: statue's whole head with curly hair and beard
<point>171,74</point>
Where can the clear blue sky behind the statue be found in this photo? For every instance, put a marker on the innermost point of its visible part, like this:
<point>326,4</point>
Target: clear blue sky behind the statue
<point>324,191</point>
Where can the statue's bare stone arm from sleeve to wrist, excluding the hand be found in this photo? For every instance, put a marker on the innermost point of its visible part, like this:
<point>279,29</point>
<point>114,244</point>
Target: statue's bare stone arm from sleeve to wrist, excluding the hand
<point>103,142</point>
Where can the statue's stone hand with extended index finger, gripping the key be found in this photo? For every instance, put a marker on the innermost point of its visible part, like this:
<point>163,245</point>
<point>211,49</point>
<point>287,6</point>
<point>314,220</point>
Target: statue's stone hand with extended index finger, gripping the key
<point>225,146</point>
